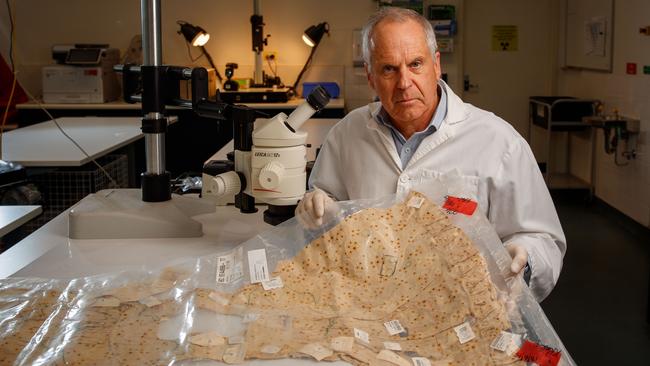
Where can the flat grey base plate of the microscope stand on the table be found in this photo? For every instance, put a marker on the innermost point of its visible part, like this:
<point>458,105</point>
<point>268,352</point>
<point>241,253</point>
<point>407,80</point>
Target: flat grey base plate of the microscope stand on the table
<point>121,214</point>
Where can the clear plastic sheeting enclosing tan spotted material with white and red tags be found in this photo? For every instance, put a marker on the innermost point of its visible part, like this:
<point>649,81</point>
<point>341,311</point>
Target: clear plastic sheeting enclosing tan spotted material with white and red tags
<point>398,281</point>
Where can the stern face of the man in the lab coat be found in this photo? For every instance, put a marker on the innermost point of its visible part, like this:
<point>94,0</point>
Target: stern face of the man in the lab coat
<point>404,74</point>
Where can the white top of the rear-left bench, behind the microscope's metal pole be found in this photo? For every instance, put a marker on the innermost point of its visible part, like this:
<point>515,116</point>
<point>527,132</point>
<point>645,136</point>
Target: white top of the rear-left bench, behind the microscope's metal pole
<point>43,144</point>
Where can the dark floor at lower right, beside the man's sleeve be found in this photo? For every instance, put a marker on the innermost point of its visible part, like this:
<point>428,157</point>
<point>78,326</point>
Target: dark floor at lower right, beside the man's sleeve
<point>598,307</point>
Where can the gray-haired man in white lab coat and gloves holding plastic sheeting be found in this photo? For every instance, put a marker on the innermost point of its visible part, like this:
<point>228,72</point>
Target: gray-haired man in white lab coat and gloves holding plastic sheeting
<point>419,130</point>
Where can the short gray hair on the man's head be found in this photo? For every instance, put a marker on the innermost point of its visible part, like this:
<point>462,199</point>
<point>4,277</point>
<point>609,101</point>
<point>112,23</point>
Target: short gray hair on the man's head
<point>399,15</point>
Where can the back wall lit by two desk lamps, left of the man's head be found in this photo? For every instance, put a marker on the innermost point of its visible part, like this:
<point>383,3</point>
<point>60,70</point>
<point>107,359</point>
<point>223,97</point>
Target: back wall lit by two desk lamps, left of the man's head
<point>39,24</point>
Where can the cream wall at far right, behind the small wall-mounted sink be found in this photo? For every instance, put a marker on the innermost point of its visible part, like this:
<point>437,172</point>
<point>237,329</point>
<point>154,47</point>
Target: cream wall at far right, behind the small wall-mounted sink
<point>626,188</point>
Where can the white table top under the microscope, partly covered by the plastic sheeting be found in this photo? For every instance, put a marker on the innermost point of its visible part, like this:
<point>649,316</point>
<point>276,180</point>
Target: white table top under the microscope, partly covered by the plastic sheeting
<point>49,253</point>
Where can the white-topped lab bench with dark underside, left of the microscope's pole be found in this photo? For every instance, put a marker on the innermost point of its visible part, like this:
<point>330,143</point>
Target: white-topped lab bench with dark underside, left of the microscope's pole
<point>61,171</point>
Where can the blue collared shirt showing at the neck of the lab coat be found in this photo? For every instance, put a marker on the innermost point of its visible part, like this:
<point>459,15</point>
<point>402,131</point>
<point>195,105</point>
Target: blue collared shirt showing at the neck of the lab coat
<point>406,148</point>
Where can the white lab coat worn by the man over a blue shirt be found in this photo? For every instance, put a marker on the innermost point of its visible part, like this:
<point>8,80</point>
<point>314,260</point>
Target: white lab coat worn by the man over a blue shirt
<point>359,160</point>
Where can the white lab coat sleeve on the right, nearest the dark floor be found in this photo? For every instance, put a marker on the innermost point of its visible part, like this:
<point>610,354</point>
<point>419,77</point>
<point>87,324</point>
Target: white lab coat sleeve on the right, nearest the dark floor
<point>522,211</point>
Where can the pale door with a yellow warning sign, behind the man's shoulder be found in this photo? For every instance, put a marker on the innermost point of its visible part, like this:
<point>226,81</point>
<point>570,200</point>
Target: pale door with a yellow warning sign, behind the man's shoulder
<point>502,81</point>
